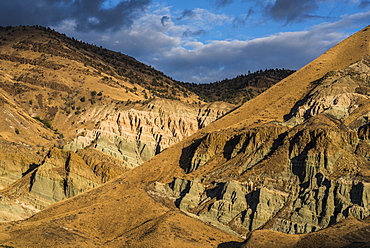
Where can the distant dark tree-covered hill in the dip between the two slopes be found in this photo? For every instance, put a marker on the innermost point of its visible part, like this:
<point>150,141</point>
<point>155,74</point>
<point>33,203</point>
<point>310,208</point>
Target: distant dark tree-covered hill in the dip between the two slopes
<point>239,89</point>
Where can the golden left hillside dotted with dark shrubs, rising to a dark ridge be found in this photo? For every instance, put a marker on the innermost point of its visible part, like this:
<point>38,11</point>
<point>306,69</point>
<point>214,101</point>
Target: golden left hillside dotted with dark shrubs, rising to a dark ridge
<point>55,78</point>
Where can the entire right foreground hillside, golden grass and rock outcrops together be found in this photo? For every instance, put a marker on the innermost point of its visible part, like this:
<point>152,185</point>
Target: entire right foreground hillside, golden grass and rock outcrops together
<point>288,168</point>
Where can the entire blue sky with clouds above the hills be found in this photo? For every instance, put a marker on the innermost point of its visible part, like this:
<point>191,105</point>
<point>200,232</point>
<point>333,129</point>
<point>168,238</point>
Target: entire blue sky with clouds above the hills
<point>200,41</point>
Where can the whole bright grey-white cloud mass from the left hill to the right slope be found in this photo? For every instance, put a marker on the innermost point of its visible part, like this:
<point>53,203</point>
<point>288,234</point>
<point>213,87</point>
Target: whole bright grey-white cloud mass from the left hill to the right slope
<point>189,59</point>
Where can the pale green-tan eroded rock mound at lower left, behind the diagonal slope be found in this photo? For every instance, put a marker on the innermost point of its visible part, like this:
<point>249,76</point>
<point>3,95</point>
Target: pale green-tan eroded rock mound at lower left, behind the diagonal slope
<point>60,175</point>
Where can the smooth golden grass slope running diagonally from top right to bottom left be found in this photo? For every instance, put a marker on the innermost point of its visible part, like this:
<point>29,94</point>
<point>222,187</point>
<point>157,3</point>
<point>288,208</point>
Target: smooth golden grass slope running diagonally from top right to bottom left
<point>121,213</point>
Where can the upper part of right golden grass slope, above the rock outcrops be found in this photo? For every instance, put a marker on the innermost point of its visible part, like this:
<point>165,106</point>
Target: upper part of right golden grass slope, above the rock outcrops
<point>277,101</point>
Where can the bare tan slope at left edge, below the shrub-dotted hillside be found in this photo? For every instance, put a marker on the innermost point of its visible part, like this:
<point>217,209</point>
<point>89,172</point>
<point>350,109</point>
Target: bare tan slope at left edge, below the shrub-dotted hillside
<point>21,139</point>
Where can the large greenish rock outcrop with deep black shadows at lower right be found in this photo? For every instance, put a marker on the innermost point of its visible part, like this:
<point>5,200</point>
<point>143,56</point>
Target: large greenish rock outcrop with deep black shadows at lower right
<point>298,182</point>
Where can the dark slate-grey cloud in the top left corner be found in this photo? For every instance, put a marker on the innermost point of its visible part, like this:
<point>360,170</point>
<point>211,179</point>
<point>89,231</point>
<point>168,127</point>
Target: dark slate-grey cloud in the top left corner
<point>88,14</point>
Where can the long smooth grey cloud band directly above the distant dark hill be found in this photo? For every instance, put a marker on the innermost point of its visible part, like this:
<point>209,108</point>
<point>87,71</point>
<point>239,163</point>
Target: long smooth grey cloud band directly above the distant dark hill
<point>209,62</point>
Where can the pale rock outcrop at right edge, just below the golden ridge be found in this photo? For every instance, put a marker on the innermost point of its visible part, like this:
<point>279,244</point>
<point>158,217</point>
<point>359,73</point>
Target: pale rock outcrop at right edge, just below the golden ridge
<point>338,93</point>
